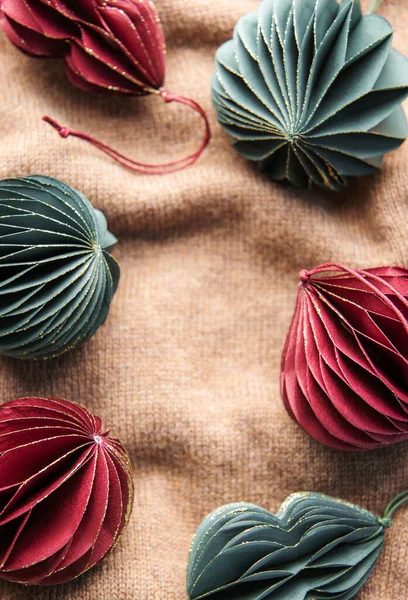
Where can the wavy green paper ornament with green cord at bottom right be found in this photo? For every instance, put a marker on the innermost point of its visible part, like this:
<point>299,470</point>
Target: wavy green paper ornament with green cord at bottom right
<point>316,547</point>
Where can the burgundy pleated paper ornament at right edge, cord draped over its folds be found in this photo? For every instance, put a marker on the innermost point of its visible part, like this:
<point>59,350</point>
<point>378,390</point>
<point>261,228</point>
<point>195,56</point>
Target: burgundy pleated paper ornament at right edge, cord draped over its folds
<point>345,364</point>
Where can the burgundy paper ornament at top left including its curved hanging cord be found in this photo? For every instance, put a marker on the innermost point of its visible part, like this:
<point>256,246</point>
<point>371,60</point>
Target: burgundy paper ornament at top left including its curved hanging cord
<point>109,47</point>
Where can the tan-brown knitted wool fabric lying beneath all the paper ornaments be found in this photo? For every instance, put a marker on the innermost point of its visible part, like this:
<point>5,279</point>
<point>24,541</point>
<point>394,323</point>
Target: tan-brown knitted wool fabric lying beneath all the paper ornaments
<point>186,369</point>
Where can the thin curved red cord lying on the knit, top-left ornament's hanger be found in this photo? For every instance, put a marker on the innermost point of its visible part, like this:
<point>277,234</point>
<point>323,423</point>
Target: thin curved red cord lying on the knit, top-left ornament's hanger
<point>140,167</point>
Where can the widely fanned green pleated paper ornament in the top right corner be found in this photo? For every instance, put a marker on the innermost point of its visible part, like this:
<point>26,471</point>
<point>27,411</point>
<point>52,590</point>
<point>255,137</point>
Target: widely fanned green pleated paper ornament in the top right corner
<point>312,91</point>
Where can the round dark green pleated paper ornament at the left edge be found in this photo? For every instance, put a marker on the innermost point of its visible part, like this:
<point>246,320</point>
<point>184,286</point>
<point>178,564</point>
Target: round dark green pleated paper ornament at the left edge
<point>57,277</point>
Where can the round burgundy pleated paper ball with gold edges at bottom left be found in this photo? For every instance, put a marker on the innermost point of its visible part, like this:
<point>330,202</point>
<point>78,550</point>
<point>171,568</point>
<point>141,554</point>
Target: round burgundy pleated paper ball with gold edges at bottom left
<point>66,491</point>
